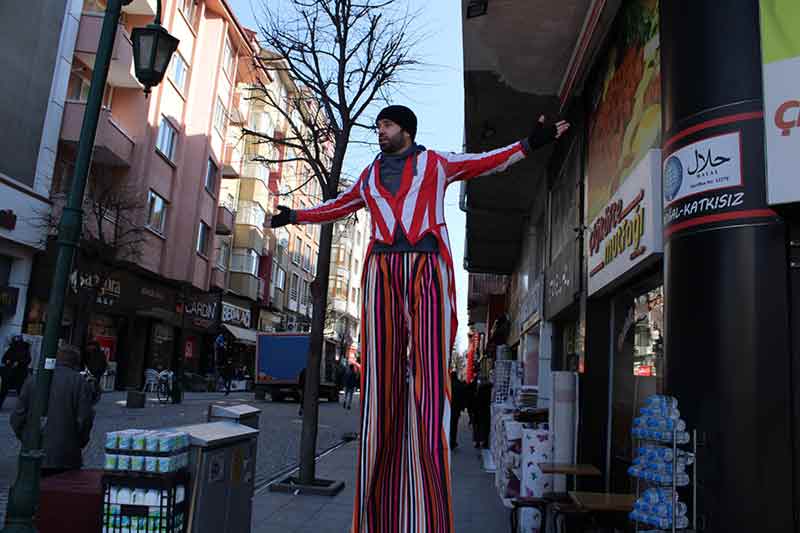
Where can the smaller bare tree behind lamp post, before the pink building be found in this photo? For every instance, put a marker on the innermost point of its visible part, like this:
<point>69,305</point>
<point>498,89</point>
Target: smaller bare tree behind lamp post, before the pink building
<point>112,236</point>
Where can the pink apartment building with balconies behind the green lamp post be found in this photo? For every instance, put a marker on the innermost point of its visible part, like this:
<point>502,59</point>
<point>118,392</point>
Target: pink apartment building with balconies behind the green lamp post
<point>160,303</point>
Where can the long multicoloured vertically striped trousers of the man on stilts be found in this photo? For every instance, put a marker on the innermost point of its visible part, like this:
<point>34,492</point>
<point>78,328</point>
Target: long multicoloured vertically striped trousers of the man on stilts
<point>403,475</point>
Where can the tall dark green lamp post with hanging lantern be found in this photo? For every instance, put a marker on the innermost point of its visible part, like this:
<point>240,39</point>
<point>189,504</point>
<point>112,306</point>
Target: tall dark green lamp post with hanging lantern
<point>24,494</point>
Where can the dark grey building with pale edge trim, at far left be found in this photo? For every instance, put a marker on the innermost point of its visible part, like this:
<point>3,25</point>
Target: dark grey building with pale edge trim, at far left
<point>37,59</point>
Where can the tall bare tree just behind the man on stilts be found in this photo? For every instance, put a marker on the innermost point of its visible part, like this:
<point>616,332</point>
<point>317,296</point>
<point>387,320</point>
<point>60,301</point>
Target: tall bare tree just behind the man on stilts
<point>343,56</point>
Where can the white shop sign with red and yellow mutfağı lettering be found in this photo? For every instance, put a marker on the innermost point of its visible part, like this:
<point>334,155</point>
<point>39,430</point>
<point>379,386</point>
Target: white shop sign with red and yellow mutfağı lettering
<point>629,229</point>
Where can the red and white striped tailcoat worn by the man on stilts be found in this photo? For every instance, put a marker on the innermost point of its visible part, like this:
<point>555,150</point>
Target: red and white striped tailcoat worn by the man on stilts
<point>418,205</point>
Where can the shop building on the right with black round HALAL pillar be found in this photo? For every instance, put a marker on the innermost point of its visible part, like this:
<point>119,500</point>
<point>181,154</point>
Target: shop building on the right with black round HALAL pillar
<point>622,246</point>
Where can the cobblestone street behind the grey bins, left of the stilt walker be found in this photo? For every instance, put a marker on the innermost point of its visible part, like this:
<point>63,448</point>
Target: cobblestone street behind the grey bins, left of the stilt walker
<point>278,443</point>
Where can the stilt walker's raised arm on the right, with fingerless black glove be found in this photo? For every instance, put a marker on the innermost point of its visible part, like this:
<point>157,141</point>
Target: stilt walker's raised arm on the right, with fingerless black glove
<point>467,166</point>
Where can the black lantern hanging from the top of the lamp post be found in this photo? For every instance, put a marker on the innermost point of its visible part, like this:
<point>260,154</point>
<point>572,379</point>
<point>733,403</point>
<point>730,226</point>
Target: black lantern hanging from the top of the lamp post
<point>153,47</point>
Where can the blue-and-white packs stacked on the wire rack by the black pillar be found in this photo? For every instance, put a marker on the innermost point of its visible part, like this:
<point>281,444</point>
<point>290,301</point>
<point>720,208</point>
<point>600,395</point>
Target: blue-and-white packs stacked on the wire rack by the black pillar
<point>661,465</point>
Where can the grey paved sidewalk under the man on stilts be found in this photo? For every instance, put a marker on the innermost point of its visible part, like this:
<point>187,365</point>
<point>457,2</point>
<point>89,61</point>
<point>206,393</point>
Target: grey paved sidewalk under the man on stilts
<point>477,507</point>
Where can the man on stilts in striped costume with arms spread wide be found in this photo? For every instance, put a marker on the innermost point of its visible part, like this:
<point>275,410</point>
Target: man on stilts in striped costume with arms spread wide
<point>408,319</point>
